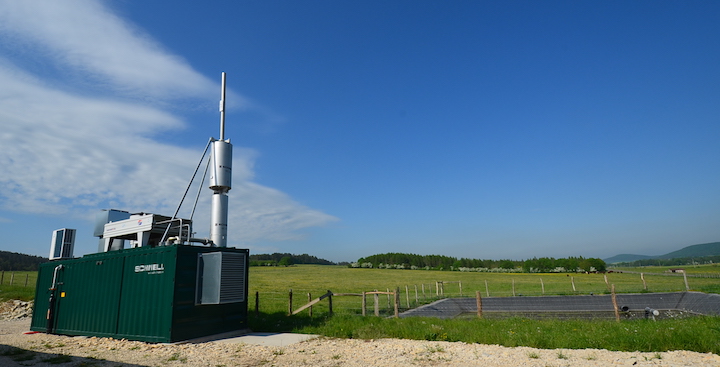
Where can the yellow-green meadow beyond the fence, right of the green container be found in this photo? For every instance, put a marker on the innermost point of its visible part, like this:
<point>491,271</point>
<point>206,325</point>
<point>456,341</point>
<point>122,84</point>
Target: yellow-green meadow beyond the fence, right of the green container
<point>274,283</point>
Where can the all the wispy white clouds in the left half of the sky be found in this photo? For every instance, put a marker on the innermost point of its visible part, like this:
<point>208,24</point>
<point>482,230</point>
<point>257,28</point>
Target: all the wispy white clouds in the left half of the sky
<point>69,151</point>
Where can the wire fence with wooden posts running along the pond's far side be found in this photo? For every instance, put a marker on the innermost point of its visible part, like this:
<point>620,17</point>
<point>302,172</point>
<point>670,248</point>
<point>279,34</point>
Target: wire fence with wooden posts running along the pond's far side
<point>383,302</point>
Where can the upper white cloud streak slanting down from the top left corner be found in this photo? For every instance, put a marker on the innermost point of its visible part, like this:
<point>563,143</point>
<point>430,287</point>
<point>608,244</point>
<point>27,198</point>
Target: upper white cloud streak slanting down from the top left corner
<point>84,35</point>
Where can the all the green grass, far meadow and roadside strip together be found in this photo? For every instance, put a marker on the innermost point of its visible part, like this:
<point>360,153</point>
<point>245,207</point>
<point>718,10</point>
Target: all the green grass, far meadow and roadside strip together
<point>272,284</point>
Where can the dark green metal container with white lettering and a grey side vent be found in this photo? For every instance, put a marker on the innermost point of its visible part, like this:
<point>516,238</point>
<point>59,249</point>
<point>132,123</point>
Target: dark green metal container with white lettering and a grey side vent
<point>160,294</point>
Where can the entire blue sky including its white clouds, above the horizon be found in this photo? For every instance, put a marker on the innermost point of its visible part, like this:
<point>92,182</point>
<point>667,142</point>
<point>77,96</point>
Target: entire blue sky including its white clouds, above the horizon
<point>474,129</point>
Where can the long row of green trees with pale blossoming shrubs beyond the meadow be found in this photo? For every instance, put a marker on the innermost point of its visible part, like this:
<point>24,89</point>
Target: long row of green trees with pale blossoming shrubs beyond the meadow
<point>439,262</point>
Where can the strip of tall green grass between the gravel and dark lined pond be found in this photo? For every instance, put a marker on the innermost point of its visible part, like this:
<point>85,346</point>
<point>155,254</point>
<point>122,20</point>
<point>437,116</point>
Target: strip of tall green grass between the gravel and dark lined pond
<point>700,334</point>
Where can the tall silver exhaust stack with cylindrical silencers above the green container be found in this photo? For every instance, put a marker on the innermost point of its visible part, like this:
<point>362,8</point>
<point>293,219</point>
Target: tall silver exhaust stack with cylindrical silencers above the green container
<point>220,179</point>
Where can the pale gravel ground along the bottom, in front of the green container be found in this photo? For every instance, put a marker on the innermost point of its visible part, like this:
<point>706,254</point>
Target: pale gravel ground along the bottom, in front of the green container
<point>39,349</point>
